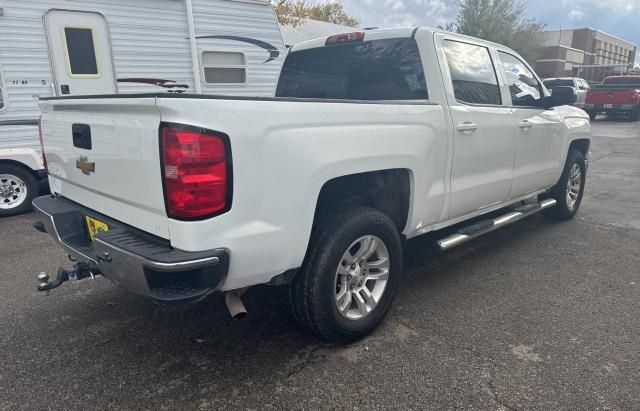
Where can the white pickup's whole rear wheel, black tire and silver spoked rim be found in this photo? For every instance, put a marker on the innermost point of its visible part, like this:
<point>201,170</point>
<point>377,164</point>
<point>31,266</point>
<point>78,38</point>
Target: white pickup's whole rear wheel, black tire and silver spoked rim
<point>349,277</point>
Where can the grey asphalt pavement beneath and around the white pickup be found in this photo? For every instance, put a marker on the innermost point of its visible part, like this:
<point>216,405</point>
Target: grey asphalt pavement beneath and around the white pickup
<point>538,315</point>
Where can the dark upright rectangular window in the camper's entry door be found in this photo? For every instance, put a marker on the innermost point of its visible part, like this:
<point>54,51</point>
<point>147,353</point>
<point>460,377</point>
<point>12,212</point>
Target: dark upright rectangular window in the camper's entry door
<point>81,51</point>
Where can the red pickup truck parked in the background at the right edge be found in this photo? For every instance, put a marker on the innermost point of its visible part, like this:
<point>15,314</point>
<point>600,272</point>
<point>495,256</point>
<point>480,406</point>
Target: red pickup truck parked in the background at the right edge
<point>617,95</point>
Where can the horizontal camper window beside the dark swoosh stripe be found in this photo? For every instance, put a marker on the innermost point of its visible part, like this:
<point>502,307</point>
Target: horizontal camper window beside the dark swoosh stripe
<point>223,67</point>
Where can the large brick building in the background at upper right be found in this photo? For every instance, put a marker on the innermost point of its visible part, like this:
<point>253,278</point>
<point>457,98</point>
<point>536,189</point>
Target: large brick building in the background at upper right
<point>586,52</point>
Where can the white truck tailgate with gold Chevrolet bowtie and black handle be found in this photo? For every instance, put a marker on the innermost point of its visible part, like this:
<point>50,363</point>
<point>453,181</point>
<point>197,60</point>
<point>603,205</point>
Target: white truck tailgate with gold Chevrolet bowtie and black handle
<point>104,153</point>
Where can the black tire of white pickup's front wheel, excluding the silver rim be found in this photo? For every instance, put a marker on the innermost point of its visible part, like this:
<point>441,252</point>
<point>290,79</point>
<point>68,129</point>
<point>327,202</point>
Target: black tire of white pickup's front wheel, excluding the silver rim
<point>563,210</point>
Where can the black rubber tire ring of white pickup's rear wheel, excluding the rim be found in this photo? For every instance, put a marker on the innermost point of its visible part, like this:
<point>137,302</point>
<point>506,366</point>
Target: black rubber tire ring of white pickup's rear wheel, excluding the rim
<point>313,291</point>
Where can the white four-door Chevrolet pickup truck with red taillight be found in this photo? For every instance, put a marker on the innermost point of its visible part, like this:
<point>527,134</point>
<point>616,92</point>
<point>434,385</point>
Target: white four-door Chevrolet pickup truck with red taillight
<point>373,138</point>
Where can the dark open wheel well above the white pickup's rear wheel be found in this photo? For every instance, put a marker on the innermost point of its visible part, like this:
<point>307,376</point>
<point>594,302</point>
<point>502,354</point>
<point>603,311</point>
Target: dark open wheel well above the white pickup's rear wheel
<point>385,190</point>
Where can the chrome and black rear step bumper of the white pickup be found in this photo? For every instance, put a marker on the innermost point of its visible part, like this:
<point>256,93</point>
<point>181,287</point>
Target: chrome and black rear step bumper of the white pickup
<point>139,262</point>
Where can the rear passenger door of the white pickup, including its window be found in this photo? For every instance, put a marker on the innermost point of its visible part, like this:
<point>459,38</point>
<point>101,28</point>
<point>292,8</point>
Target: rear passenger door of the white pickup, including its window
<point>484,142</point>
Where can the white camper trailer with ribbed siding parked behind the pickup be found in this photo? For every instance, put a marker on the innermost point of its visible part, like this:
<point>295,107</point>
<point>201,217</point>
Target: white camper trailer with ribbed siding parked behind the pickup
<point>77,47</point>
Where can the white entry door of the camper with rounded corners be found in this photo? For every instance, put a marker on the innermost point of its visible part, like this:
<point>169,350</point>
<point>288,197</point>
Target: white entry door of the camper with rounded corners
<point>80,53</point>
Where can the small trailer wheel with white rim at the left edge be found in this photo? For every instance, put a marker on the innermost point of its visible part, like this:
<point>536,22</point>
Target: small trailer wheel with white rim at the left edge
<point>18,187</point>
